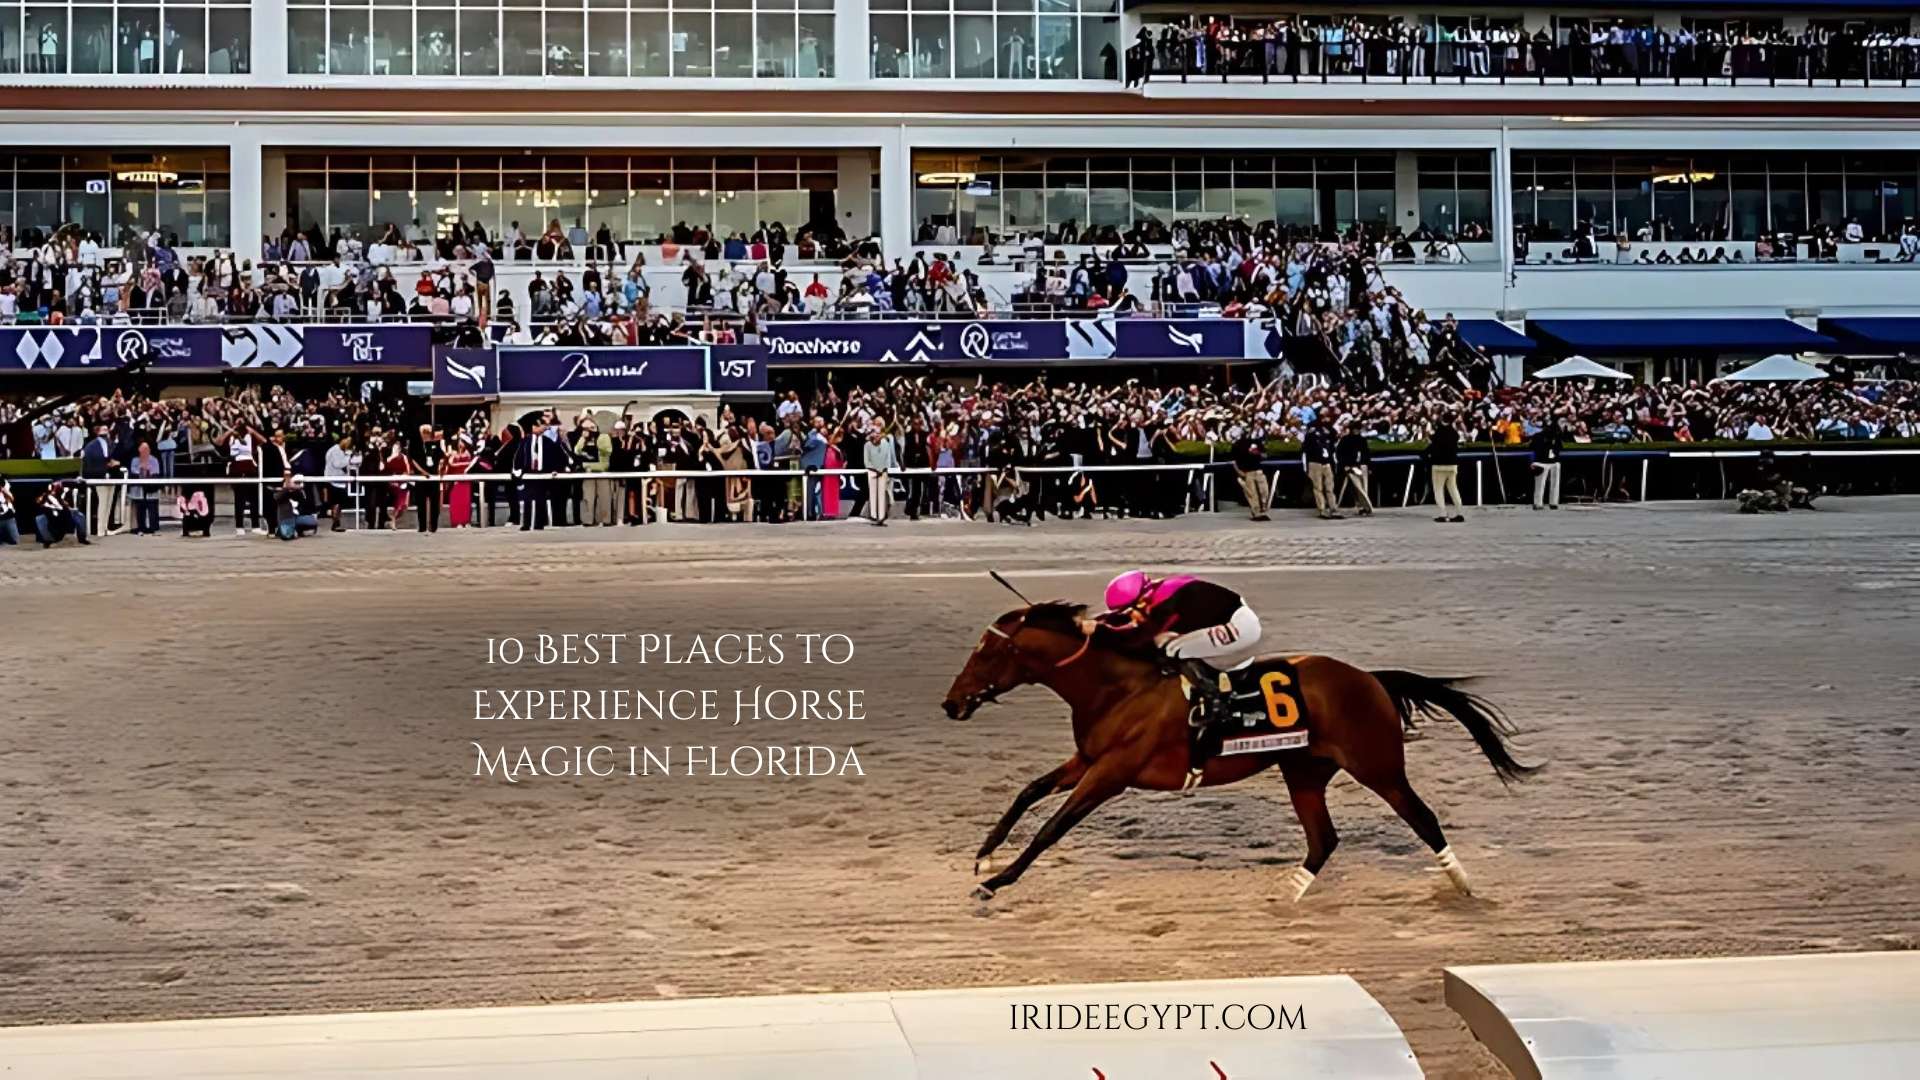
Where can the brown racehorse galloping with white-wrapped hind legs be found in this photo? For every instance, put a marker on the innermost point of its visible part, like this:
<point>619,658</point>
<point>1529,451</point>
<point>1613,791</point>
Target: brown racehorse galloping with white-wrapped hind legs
<point>1130,731</point>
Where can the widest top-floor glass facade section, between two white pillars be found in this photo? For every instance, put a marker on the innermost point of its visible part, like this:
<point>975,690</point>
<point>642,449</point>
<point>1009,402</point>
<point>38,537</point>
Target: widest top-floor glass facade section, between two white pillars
<point>690,39</point>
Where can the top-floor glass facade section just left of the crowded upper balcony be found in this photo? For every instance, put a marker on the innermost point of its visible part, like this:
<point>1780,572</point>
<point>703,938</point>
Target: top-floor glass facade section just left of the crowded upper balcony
<point>996,39</point>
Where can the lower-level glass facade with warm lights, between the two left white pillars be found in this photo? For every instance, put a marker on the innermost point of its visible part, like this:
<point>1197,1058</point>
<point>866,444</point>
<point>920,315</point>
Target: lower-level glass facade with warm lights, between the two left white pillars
<point>638,197</point>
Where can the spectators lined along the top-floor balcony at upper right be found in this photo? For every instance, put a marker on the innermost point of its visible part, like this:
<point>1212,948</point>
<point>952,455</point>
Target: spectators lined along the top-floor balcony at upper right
<point>1397,47</point>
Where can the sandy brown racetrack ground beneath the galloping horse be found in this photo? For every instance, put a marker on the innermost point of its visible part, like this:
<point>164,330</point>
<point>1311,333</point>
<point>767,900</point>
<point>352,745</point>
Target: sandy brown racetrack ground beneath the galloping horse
<point>235,775</point>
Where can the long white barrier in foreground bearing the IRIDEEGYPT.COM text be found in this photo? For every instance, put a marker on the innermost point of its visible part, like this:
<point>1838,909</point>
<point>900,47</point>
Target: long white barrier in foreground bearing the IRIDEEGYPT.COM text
<point>1332,1029</point>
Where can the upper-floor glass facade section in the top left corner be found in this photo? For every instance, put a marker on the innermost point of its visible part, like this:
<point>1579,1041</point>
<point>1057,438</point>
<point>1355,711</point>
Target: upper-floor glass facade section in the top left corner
<point>160,37</point>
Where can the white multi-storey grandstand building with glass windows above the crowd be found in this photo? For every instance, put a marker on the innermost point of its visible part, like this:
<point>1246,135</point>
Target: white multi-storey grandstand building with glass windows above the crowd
<point>1637,162</point>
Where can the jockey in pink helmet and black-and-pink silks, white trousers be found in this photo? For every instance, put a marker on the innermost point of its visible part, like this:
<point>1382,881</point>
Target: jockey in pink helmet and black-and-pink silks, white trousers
<point>1203,626</point>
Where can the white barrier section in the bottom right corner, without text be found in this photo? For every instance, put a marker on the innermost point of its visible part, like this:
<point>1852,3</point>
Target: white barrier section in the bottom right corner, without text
<point>1831,1018</point>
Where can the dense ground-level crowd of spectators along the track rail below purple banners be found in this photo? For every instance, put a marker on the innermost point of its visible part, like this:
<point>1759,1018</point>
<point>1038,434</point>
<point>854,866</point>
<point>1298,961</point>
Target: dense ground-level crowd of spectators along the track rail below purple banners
<point>997,453</point>
